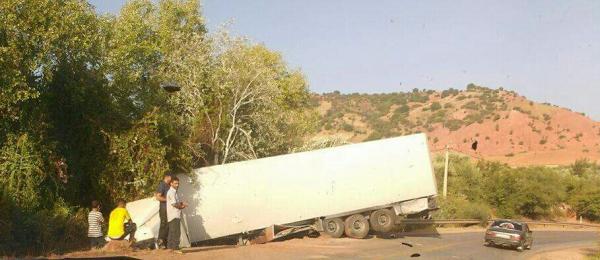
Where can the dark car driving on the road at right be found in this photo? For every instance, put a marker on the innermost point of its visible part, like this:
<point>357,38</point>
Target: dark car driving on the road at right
<point>509,233</point>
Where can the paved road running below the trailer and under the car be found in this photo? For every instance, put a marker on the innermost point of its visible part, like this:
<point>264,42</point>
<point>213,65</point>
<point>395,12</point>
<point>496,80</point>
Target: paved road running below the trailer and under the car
<point>442,246</point>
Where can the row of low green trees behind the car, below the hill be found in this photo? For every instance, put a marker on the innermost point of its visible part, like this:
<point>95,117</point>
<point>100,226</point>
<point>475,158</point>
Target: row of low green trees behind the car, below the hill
<point>485,189</point>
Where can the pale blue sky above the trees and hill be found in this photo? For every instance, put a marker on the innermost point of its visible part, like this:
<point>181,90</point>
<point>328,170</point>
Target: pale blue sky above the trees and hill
<point>548,51</point>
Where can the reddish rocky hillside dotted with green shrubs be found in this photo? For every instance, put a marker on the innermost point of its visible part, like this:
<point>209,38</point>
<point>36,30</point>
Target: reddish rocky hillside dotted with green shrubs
<point>506,126</point>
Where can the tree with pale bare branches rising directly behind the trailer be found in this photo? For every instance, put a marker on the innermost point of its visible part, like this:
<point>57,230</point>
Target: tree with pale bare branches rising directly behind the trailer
<point>241,95</point>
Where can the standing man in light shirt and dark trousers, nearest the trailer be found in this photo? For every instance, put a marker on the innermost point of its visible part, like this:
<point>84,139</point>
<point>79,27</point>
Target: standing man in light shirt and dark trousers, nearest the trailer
<point>174,207</point>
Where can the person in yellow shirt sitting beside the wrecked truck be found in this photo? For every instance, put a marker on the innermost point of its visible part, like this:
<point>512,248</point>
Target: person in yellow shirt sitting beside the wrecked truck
<point>120,224</point>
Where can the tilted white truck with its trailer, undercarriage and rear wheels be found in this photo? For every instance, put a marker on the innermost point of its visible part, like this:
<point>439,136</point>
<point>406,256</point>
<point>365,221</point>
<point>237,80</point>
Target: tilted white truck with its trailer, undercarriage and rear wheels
<point>351,189</point>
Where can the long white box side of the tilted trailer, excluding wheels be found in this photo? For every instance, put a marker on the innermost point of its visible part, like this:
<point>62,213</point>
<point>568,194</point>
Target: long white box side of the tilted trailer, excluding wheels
<point>249,195</point>
